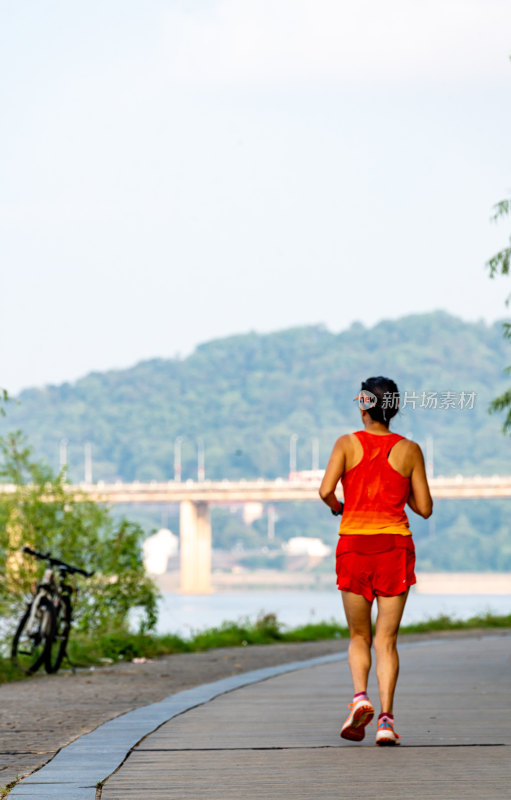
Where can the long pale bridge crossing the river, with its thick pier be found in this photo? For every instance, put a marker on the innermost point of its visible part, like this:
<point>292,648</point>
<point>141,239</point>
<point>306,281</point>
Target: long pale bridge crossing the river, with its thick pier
<point>195,498</point>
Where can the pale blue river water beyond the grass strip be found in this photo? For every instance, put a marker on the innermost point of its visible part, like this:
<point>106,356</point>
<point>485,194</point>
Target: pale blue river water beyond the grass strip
<point>183,614</point>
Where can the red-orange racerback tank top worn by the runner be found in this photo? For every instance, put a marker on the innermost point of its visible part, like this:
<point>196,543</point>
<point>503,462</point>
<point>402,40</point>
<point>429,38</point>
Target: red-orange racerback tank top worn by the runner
<point>374,492</point>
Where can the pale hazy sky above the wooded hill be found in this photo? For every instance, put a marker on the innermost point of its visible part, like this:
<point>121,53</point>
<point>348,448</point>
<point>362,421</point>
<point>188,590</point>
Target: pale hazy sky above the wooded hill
<point>173,172</point>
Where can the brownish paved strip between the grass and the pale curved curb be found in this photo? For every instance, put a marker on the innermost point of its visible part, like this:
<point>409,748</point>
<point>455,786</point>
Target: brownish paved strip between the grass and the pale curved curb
<point>41,715</point>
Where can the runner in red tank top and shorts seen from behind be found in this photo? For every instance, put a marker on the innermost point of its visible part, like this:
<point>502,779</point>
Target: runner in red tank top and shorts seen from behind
<point>380,472</point>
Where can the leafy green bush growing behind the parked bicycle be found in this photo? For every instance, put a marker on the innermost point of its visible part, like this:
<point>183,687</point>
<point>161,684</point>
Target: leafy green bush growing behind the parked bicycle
<point>36,509</point>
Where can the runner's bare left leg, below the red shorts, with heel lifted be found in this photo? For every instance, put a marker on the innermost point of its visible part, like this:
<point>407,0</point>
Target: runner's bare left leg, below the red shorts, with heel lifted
<point>358,615</point>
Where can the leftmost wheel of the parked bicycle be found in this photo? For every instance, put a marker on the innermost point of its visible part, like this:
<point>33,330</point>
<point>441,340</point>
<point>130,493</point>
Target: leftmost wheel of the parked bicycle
<point>32,636</point>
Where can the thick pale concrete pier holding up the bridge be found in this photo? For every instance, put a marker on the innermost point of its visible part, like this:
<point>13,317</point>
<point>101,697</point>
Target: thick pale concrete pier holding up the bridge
<point>195,547</point>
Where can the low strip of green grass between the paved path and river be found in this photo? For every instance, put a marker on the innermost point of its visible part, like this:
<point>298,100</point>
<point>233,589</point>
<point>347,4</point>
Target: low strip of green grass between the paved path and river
<point>124,645</point>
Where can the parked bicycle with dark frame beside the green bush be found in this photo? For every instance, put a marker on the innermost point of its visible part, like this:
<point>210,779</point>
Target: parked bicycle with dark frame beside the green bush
<point>43,631</point>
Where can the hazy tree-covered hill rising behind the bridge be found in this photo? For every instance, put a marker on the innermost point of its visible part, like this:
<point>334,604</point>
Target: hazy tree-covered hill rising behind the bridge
<point>245,395</point>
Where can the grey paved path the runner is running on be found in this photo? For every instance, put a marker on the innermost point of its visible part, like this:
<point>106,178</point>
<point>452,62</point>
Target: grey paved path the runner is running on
<point>279,738</point>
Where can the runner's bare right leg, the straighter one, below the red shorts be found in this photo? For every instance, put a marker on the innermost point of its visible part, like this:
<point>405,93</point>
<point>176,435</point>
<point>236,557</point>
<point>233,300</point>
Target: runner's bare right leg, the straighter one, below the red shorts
<point>390,611</point>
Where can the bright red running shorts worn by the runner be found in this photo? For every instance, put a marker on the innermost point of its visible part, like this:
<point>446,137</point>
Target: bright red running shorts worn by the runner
<point>377,564</point>
